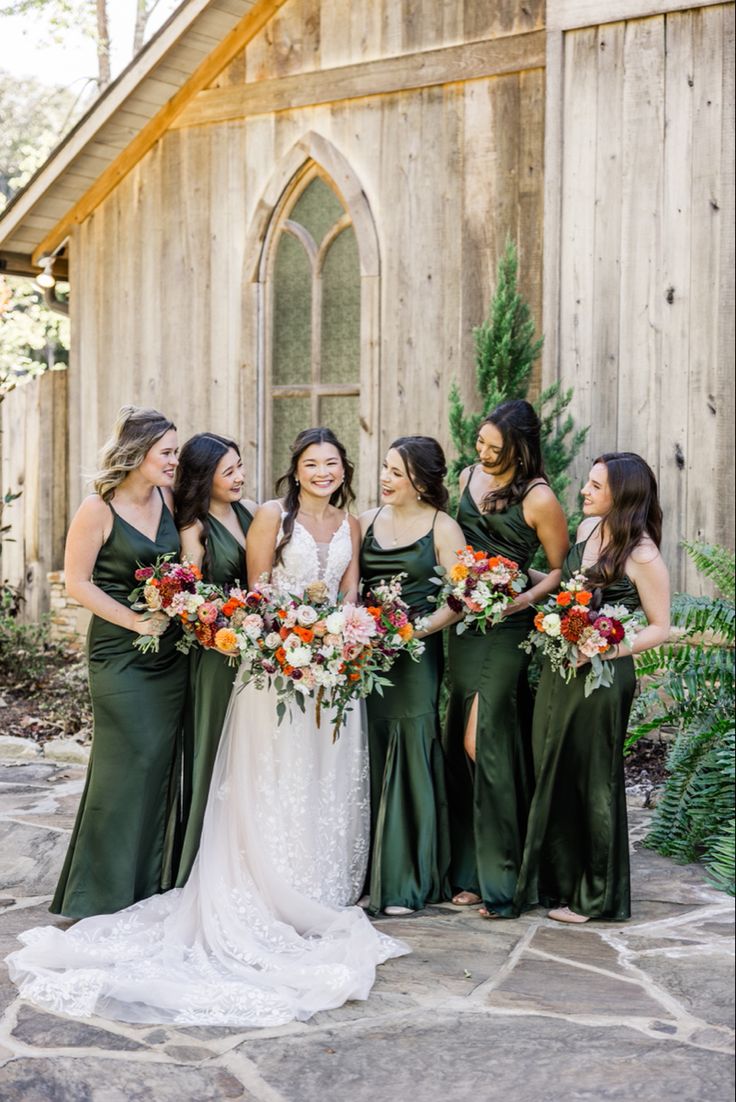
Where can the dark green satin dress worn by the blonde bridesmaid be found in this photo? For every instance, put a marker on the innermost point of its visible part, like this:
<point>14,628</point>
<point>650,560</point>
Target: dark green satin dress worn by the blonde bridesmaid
<point>124,831</point>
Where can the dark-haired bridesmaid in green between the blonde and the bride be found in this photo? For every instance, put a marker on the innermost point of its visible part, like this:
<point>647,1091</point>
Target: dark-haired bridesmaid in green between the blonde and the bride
<point>214,524</point>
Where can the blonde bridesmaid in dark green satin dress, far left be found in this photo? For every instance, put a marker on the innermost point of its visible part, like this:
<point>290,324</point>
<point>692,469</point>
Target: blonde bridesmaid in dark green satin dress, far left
<point>123,837</point>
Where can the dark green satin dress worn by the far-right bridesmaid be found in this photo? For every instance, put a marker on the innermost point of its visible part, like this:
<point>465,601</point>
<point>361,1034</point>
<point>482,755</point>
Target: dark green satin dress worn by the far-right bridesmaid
<point>578,847</point>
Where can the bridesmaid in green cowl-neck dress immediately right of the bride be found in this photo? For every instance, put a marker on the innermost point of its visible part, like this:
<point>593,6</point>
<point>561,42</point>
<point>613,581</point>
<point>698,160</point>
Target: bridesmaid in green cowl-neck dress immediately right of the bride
<point>409,534</point>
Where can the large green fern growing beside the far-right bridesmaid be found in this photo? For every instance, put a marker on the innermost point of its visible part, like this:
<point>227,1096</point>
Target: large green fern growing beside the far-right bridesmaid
<point>692,692</point>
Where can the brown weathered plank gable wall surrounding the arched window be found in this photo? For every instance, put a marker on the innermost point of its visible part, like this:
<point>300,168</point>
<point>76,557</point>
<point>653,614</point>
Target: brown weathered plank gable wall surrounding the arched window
<point>450,172</point>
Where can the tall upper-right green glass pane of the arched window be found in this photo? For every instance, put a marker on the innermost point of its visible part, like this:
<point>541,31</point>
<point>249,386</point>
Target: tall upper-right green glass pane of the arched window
<point>341,311</point>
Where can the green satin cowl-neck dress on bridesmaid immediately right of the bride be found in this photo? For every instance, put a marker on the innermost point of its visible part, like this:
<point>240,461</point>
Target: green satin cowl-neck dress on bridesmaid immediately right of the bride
<point>410,852</point>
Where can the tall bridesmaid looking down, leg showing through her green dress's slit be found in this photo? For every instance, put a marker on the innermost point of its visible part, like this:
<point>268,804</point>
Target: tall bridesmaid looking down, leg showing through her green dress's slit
<point>506,509</point>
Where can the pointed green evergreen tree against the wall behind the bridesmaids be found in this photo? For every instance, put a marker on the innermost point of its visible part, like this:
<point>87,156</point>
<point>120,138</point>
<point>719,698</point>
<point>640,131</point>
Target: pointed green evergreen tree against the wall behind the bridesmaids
<point>506,351</point>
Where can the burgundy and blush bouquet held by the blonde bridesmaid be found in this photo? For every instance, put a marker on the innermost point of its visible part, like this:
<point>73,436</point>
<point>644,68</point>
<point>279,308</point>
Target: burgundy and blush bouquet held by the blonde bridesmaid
<point>172,588</point>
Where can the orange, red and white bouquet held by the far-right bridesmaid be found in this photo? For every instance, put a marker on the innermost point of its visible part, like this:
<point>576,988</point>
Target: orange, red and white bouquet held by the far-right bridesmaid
<point>566,628</point>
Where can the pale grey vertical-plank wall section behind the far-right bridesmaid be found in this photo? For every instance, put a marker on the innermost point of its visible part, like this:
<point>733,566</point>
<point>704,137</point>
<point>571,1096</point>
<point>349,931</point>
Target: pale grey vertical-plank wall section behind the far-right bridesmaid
<point>640,254</point>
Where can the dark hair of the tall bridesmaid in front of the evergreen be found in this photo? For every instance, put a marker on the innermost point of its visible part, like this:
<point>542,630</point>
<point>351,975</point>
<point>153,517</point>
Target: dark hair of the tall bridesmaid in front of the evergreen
<point>521,430</point>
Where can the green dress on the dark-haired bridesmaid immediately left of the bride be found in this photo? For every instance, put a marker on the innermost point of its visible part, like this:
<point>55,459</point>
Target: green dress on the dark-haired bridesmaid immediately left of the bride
<point>211,685</point>
